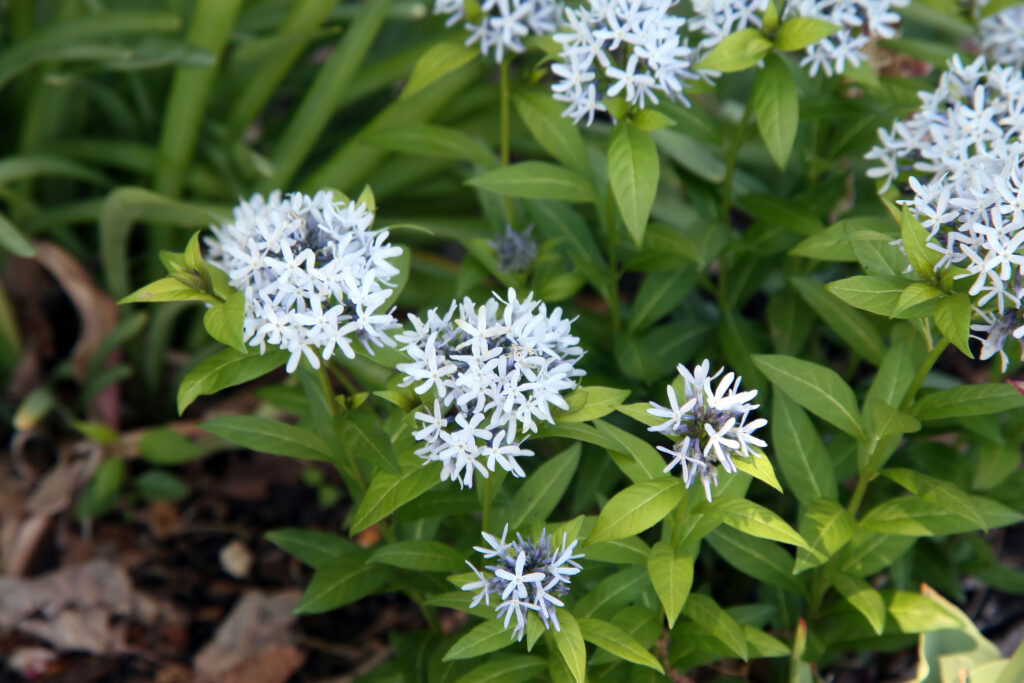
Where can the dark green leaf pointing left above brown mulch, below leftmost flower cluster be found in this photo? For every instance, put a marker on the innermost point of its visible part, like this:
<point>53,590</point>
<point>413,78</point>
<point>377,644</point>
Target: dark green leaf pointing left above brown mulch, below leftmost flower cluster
<point>267,436</point>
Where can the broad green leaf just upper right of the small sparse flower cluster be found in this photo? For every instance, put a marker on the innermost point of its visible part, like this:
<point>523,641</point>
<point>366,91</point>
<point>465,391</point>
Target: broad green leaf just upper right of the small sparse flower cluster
<point>818,389</point>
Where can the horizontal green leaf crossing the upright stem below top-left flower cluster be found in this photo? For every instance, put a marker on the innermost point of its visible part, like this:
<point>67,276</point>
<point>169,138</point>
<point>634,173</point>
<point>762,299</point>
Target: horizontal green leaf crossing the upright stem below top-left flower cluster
<point>536,181</point>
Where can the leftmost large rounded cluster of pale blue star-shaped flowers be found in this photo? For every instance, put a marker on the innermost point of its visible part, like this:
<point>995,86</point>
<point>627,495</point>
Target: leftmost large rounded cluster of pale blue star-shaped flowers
<point>314,275</point>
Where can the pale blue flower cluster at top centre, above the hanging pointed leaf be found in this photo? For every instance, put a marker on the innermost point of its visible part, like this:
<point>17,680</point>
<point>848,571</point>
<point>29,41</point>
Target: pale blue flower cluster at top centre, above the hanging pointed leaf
<point>628,48</point>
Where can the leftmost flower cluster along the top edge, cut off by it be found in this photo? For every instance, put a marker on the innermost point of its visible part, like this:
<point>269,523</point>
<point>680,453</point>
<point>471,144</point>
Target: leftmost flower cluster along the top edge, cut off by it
<point>503,24</point>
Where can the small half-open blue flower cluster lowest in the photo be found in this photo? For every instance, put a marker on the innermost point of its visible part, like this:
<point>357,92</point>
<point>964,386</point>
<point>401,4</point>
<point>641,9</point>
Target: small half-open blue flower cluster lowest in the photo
<point>527,577</point>
